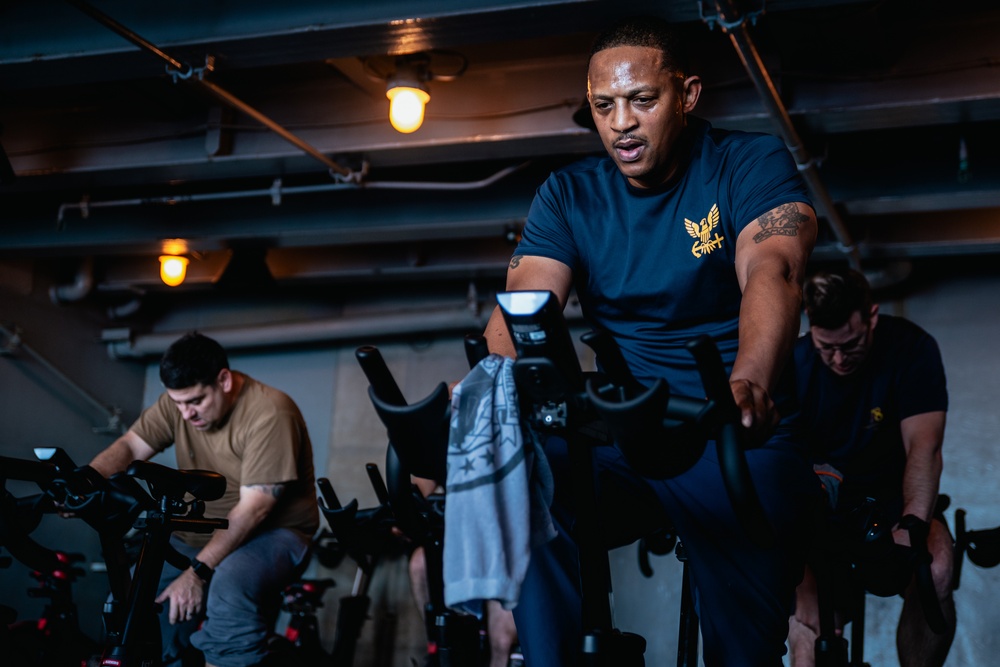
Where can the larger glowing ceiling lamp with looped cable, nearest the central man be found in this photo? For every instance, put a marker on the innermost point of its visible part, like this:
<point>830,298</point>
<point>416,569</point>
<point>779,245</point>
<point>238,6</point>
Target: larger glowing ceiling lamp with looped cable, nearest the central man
<point>406,86</point>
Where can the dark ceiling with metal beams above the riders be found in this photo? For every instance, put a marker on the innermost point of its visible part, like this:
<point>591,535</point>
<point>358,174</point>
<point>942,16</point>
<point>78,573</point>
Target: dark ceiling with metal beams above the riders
<point>106,152</point>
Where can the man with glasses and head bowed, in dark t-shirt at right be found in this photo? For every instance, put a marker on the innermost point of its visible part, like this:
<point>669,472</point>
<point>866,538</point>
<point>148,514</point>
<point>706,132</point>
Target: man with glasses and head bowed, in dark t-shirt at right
<point>873,395</point>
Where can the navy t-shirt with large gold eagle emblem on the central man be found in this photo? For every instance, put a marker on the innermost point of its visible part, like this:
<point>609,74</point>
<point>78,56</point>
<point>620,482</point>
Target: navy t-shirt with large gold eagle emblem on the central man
<point>655,267</point>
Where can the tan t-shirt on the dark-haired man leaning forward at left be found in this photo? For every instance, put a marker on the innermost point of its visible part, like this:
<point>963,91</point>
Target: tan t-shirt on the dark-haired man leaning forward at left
<point>263,440</point>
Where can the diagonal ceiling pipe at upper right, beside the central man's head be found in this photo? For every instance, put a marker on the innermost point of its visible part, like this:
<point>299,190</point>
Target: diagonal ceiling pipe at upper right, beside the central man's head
<point>734,24</point>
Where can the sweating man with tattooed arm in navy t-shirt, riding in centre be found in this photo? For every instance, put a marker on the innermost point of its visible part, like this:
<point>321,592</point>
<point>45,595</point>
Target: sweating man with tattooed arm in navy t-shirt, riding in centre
<point>681,229</point>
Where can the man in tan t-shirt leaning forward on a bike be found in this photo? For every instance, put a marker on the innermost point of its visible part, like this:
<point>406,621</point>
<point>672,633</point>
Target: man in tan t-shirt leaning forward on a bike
<point>254,435</point>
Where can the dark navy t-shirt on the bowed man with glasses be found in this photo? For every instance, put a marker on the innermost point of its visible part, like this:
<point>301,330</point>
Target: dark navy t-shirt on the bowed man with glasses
<point>853,421</point>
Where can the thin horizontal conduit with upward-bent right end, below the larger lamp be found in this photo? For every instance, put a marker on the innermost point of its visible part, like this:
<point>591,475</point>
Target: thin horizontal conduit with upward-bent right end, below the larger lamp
<point>277,191</point>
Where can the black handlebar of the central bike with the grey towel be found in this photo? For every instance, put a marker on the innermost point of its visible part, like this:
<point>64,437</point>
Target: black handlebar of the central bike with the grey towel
<point>415,429</point>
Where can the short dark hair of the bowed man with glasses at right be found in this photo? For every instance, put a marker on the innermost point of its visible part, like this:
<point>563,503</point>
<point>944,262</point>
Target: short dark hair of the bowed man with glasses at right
<point>831,297</point>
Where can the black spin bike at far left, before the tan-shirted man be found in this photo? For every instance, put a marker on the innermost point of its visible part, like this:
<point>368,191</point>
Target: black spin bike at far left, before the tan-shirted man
<point>156,508</point>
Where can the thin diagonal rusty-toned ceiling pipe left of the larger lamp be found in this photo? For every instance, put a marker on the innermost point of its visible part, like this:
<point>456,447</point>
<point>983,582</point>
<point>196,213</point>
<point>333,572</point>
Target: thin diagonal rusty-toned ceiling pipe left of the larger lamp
<point>182,70</point>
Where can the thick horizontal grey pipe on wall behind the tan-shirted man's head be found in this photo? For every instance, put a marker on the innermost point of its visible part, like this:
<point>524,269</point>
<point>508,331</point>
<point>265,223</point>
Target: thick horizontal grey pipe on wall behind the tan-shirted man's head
<point>463,319</point>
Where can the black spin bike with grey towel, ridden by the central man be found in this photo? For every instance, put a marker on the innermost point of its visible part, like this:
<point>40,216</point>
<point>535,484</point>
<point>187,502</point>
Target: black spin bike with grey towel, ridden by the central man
<point>590,411</point>
